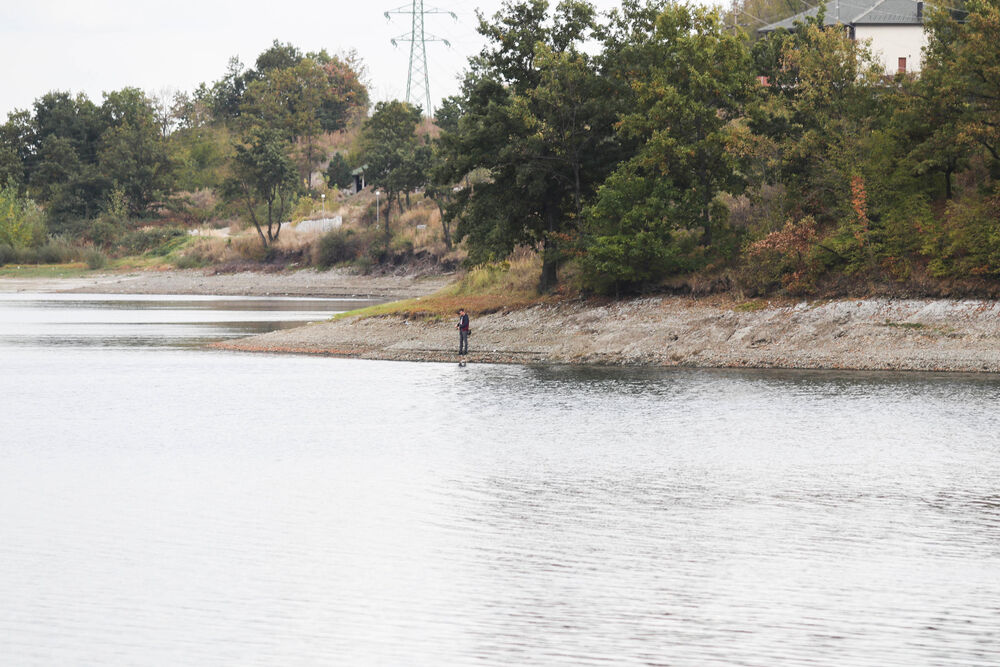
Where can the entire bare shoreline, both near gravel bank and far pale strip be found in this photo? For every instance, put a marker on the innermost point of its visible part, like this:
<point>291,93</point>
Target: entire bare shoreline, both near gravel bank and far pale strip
<point>877,334</point>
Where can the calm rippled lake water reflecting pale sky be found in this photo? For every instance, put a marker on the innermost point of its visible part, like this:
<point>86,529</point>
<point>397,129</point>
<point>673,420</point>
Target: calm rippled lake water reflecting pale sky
<point>161,504</point>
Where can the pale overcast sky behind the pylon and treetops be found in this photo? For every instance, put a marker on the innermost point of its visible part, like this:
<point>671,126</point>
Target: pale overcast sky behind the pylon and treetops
<point>93,46</point>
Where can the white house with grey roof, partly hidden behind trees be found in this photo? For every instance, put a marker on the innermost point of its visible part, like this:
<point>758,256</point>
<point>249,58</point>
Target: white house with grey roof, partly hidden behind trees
<point>894,27</point>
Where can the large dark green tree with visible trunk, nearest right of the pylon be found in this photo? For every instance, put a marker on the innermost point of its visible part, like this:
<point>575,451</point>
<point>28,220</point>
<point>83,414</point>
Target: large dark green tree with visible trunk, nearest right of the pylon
<point>538,116</point>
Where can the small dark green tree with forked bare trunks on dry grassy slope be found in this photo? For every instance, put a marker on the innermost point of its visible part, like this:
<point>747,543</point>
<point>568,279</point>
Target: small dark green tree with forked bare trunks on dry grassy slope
<point>264,180</point>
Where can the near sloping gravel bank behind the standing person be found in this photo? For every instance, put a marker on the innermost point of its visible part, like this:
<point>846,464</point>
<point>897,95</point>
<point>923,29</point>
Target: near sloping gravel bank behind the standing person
<point>873,334</point>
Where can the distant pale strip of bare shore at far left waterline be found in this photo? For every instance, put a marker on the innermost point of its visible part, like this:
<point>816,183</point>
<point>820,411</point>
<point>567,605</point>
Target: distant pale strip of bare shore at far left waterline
<point>333,283</point>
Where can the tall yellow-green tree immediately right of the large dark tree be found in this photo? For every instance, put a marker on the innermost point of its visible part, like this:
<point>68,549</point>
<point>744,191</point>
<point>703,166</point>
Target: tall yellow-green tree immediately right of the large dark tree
<point>659,205</point>
